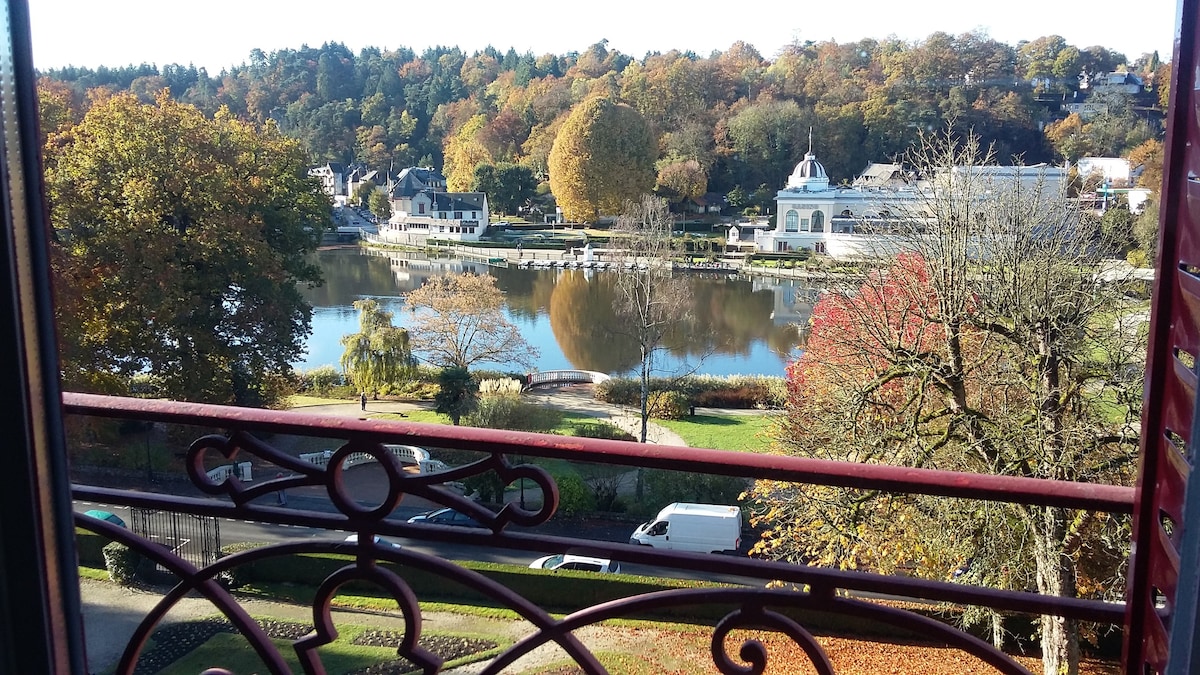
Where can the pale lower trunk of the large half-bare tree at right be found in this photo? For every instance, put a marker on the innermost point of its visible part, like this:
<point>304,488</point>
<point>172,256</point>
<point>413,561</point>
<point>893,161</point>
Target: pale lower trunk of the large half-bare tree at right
<point>1057,577</point>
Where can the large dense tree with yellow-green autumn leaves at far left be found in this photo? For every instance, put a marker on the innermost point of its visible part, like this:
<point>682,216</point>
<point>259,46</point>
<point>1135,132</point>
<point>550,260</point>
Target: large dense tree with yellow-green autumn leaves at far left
<point>181,244</point>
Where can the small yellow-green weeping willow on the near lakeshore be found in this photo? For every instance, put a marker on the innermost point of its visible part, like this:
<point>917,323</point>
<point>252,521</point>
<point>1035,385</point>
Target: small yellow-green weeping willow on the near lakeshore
<point>379,355</point>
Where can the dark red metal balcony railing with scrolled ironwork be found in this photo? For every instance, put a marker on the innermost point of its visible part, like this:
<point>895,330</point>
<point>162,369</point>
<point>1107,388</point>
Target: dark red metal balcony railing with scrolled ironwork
<point>755,607</point>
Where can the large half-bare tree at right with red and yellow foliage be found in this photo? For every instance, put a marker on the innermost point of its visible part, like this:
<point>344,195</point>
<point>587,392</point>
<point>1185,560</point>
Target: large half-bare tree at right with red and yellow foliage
<point>988,347</point>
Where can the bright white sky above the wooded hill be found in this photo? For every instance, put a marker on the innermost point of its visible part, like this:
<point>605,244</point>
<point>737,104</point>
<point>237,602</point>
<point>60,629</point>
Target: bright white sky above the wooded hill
<point>218,34</point>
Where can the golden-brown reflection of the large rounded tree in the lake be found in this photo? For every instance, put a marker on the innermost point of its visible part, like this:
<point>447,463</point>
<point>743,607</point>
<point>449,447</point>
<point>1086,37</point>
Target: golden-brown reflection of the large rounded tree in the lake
<point>586,325</point>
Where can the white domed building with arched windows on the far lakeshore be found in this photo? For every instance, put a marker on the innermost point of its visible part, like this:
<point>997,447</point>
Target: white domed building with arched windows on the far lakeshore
<point>866,219</point>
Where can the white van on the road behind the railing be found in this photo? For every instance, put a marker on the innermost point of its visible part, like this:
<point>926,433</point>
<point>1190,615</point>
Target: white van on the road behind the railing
<point>693,528</point>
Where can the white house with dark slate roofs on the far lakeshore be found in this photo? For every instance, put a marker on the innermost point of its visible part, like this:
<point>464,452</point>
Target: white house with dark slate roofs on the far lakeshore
<point>423,210</point>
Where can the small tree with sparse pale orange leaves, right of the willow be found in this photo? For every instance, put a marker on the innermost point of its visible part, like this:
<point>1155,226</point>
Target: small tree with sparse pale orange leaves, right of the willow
<point>459,321</point>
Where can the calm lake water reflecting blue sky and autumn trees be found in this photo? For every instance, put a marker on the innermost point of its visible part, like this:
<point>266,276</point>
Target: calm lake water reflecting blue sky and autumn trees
<point>739,326</point>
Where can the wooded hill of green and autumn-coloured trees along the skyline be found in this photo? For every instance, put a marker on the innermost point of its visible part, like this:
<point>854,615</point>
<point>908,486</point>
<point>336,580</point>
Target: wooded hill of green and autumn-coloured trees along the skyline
<point>743,118</point>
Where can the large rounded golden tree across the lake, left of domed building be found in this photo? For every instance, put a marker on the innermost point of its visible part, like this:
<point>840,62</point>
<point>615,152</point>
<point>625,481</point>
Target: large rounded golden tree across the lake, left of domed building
<point>604,154</point>
